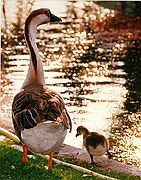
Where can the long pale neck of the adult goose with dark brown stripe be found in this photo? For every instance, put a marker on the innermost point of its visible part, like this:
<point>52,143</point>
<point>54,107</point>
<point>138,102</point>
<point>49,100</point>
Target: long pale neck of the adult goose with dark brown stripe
<point>35,72</point>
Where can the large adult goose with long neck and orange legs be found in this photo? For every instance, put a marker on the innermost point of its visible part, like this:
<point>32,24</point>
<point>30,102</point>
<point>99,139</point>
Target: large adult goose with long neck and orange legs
<point>39,116</point>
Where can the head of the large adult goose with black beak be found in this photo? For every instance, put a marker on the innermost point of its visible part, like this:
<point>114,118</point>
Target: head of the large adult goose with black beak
<point>41,16</point>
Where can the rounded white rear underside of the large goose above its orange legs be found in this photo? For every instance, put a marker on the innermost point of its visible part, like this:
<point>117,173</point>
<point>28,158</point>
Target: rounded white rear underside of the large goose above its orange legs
<point>45,137</point>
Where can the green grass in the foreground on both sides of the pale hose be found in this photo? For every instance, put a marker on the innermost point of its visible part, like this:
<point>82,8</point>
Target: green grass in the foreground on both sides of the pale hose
<point>12,167</point>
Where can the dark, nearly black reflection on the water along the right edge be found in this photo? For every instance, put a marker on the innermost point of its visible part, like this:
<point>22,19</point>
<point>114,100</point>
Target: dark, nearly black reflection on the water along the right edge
<point>133,84</point>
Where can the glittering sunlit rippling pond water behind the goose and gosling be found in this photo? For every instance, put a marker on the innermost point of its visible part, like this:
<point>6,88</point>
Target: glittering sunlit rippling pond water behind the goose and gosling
<point>99,78</point>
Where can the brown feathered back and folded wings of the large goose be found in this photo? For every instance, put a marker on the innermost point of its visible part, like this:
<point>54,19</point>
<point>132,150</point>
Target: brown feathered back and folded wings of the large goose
<point>34,106</point>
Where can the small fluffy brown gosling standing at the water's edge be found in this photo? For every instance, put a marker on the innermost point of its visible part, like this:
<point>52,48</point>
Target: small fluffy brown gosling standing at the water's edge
<point>96,144</point>
